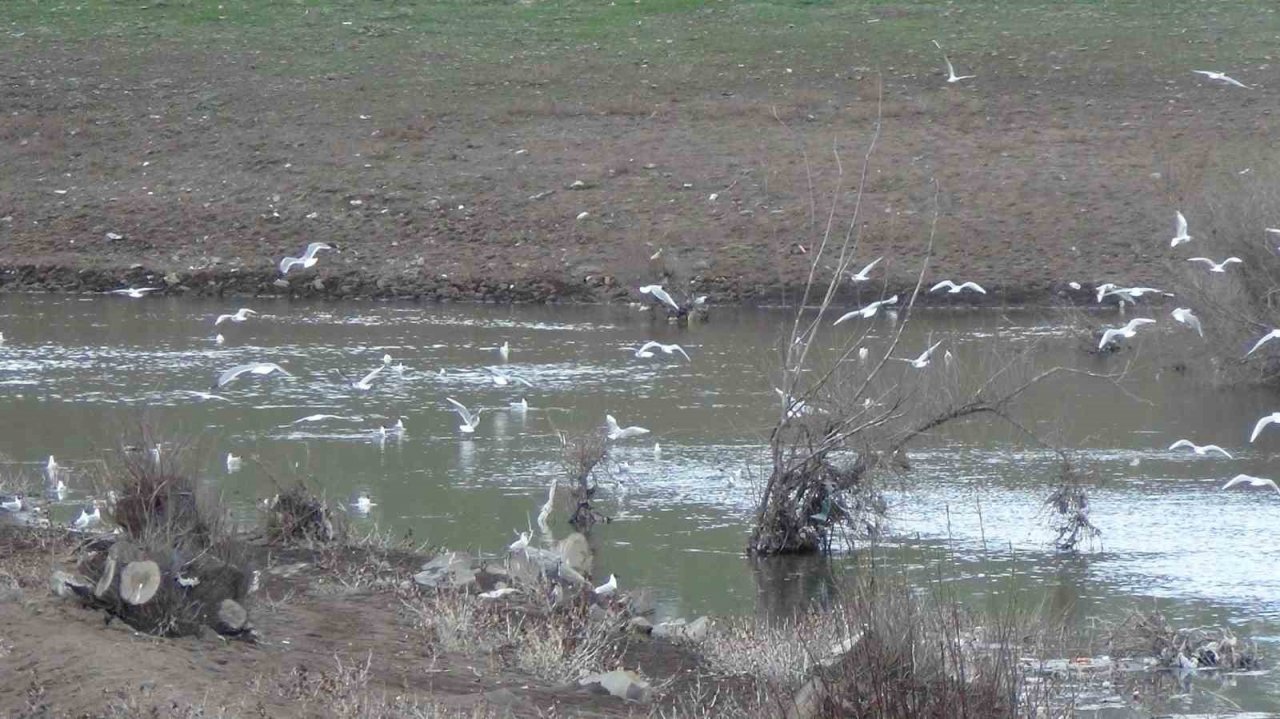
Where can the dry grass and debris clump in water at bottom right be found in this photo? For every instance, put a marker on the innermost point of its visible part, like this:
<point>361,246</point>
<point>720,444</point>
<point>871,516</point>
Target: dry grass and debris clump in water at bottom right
<point>1149,635</point>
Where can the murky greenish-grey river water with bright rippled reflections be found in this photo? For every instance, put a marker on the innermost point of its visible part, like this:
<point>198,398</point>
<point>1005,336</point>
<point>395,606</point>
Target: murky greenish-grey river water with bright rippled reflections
<point>80,374</point>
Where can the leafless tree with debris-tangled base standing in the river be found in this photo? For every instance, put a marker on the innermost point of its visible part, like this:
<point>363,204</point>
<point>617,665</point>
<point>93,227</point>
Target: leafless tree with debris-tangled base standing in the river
<point>849,416</point>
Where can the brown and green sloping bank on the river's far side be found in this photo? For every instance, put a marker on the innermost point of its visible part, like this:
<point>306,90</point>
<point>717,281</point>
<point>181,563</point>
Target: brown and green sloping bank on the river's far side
<point>440,149</point>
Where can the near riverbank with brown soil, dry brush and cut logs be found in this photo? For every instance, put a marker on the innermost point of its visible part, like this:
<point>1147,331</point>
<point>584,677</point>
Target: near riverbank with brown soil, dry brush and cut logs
<point>167,610</point>
